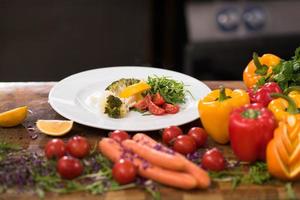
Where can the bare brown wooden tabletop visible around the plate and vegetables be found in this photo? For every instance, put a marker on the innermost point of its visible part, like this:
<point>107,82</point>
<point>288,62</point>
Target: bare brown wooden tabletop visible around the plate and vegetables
<point>35,95</point>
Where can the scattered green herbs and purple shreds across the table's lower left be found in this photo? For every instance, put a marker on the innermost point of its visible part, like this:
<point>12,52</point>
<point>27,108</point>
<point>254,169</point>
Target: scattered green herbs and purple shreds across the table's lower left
<point>21,168</point>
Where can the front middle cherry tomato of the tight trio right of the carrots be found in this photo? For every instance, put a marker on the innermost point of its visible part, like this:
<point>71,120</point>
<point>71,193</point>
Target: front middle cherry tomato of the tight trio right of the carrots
<point>184,144</point>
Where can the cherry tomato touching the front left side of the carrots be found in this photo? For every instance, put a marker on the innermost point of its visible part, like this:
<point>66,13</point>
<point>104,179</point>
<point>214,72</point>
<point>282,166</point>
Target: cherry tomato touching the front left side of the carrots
<point>124,171</point>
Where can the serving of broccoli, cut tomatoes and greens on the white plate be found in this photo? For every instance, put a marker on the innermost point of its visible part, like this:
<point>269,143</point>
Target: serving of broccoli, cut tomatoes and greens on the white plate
<point>158,95</point>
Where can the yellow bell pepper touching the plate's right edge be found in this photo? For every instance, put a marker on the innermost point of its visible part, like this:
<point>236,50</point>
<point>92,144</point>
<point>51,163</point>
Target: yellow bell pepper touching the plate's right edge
<point>214,110</point>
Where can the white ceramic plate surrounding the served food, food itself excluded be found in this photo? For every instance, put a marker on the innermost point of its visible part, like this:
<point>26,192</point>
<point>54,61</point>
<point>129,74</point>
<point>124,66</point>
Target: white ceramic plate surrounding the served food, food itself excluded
<point>70,98</point>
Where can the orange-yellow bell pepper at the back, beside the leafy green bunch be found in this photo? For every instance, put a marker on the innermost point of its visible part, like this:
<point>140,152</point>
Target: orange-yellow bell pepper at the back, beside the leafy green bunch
<point>259,67</point>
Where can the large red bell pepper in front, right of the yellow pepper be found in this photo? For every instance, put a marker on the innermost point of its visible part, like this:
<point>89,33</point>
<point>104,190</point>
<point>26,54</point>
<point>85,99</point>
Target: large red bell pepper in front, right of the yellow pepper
<point>250,129</point>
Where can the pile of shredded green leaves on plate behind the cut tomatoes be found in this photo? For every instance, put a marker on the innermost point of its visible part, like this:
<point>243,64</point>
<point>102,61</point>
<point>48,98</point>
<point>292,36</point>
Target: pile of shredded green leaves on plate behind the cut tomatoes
<point>171,90</point>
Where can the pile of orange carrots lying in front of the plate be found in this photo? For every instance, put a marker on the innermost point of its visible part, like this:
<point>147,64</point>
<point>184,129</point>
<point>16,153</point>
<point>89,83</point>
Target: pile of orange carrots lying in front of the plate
<point>191,176</point>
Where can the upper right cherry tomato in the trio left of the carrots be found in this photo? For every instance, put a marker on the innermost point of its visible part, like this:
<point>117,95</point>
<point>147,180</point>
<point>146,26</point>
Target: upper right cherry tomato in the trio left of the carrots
<point>78,147</point>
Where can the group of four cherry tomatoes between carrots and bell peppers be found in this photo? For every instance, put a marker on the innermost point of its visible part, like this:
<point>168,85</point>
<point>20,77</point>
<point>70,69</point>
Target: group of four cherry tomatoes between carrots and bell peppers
<point>196,138</point>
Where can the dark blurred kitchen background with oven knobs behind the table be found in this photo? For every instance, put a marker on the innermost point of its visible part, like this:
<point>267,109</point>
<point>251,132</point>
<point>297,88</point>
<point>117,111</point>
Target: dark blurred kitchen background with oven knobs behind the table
<point>43,40</point>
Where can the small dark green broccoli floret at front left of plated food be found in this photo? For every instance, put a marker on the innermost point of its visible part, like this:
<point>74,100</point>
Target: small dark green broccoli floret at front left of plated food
<point>114,107</point>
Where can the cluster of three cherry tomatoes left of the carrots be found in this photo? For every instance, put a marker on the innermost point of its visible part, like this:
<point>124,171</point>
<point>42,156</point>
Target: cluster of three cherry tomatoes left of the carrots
<point>68,155</point>
